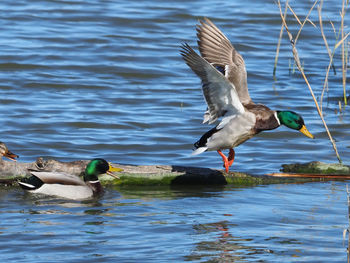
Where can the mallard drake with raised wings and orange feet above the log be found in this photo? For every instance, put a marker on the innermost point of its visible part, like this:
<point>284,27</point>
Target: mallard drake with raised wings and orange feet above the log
<point>224,83</point>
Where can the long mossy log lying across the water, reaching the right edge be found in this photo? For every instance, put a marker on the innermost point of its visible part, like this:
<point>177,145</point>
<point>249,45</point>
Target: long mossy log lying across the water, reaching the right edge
<point>11,171</point>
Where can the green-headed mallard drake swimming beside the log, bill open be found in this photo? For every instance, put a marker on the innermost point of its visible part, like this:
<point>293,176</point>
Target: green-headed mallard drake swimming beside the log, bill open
<point>67,185</point>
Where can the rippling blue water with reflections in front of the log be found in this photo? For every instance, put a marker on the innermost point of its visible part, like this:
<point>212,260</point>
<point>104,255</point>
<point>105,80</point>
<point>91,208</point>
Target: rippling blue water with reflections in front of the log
<point>276,223</point>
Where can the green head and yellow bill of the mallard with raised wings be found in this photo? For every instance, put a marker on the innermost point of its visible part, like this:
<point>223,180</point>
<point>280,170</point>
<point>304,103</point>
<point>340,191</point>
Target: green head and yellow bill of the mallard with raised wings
<point>294,121</point>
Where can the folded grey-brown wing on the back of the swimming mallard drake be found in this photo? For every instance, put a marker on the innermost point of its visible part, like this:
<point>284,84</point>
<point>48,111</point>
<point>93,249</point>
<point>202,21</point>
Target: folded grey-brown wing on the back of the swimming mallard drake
<point>58,178</point>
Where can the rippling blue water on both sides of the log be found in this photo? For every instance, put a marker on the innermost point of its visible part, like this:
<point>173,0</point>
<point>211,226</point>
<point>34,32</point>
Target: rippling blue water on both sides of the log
<point>80,79</point>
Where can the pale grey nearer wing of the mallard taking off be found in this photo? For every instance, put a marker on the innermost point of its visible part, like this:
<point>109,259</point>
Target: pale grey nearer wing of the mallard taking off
<point>220,95</point>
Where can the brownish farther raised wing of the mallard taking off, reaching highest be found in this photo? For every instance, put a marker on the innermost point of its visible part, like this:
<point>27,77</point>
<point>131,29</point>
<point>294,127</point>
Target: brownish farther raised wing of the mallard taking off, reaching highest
<point>218,50</point>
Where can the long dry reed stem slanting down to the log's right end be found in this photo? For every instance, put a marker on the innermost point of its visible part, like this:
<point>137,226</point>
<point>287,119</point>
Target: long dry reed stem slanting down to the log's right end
<point>297,61</point>
